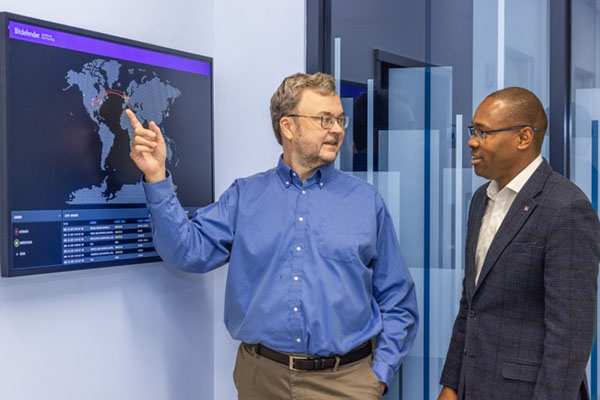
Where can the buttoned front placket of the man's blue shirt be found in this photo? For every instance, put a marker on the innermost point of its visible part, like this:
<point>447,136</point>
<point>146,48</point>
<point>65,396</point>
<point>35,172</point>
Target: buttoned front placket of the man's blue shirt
<point>299,260</point>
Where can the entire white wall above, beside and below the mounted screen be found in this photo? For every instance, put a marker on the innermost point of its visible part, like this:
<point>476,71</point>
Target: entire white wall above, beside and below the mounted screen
<point>149,331</point>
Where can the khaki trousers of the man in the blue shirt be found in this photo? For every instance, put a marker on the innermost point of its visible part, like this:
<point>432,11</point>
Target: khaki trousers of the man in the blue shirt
<point>259,378</point>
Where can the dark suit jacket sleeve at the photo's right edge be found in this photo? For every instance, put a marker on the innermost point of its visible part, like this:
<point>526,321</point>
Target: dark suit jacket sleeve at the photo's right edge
<point>570,281</point>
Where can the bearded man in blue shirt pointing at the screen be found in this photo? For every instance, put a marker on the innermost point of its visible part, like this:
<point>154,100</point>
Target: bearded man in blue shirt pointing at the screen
<point>316,276</point>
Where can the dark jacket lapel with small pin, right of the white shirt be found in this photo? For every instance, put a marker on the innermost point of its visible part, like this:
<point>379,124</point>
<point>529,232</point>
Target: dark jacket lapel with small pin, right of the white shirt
<point>517,215</point>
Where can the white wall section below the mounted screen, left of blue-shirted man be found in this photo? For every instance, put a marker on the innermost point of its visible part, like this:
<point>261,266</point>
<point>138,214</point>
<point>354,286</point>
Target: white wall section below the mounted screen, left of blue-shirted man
<point>134,332</point>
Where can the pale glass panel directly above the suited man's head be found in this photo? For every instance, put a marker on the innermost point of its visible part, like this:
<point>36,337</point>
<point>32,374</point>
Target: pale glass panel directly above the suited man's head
<point>510,48</point>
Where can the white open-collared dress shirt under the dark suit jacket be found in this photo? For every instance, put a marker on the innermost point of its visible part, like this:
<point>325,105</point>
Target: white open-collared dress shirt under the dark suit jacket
<point>498,204</point>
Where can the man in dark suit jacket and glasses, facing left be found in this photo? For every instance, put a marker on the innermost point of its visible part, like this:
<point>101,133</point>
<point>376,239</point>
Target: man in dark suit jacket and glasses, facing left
<point>525,325</point>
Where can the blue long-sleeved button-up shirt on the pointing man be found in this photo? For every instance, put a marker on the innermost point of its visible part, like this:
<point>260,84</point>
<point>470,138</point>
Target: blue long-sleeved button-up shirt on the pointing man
<point>314,267</point>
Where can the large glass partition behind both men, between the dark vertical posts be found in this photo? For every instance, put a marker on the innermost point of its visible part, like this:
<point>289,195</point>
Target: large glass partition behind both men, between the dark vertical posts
<point>410,75</point>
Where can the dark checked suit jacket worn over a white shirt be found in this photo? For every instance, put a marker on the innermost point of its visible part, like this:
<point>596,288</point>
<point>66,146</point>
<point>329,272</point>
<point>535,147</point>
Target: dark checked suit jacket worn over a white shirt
<point>526,330</point>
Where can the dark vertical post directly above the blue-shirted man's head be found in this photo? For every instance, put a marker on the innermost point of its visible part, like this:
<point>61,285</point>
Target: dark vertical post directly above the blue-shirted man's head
<point>318,36</point>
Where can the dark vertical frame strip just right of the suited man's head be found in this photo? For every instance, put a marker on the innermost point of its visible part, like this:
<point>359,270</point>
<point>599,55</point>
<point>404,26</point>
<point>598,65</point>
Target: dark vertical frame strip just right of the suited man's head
<point>559,122</point>
